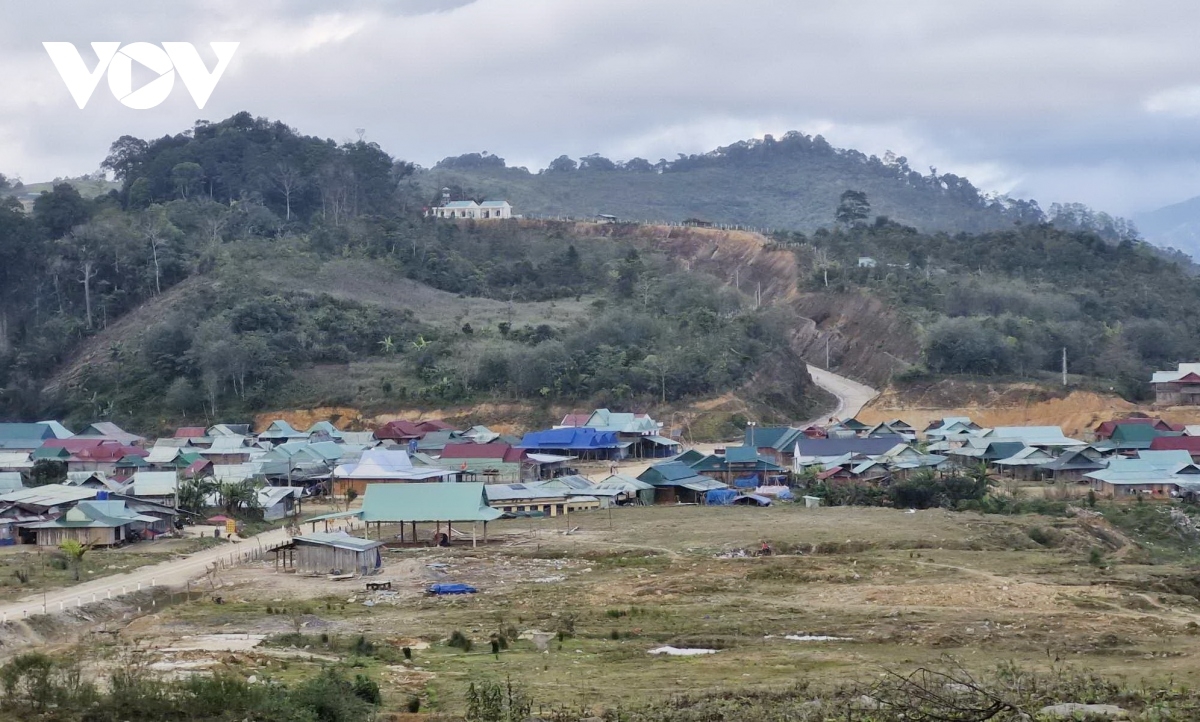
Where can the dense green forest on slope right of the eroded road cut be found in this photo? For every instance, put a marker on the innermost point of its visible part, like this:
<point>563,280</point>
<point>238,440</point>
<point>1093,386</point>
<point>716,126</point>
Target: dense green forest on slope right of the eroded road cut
<point>1007,303</point>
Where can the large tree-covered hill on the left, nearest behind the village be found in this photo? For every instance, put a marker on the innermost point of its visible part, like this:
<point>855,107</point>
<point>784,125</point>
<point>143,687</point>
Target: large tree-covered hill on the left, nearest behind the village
<point>231,274</point>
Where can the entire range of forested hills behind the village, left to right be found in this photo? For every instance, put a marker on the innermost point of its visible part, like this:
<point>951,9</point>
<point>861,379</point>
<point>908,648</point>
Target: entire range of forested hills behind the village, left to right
<point>244,267</point>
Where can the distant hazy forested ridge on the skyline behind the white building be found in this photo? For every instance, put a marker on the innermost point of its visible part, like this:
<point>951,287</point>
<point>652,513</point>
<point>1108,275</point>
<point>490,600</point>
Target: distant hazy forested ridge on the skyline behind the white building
<point>793,183</point>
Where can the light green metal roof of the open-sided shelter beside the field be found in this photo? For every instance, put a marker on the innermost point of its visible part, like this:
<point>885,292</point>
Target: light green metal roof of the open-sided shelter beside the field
<point>431,502</point>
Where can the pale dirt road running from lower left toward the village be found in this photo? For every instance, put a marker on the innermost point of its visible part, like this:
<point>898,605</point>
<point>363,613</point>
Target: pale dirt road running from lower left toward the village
<point>175,573</point>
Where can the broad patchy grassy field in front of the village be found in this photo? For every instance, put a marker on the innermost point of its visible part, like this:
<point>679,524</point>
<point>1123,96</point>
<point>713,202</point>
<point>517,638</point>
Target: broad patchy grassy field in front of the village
<point>895,591</point>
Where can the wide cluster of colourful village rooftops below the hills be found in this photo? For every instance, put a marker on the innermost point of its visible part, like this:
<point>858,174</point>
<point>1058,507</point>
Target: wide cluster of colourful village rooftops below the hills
<point>115,486</point>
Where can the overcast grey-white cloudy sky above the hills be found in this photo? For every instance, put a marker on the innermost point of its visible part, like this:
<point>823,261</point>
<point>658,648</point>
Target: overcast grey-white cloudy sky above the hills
<point>1073,100</point>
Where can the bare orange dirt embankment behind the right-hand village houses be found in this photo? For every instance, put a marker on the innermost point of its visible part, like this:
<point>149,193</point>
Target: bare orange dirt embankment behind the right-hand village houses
<point>1011,405</point>
